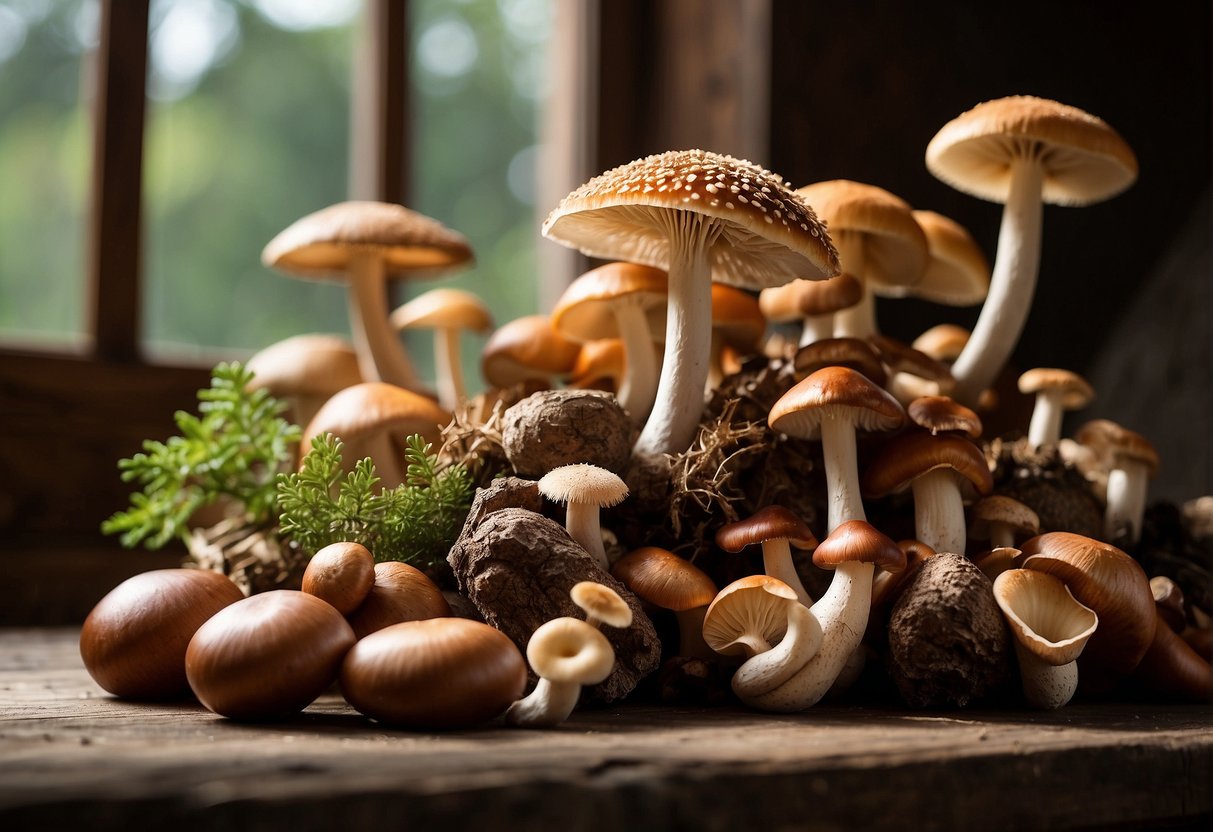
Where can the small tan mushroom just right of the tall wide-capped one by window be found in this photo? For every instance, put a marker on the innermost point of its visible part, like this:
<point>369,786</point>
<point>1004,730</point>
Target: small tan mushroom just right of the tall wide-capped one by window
<point>447,312</point>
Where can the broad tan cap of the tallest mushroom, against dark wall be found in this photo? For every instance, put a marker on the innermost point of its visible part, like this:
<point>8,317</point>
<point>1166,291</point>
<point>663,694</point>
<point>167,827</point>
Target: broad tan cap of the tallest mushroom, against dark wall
<point>1084,159</point>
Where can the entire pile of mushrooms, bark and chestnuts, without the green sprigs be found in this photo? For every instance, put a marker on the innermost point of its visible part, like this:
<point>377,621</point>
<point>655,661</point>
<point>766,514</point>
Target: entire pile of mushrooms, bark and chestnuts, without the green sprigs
<point>721,282</point>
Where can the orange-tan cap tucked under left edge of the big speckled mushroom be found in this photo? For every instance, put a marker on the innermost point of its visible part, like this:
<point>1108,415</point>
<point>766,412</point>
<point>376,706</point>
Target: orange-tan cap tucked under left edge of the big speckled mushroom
<point>584,311</point>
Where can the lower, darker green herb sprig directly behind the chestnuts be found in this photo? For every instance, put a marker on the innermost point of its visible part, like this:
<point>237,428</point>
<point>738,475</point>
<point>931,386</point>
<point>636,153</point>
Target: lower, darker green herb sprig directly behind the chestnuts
<point>415,522</point>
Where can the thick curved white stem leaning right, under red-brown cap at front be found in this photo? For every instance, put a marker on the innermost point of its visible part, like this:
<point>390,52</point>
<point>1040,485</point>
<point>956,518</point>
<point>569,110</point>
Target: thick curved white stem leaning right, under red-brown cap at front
<point>842,614</point>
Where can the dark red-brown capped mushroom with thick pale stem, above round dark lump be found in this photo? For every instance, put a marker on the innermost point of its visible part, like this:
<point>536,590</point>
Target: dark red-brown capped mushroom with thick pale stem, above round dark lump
<point>933,468</point>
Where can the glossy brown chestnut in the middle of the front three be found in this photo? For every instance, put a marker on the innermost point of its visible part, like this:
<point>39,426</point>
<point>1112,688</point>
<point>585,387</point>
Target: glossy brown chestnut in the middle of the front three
<point>267,657</point>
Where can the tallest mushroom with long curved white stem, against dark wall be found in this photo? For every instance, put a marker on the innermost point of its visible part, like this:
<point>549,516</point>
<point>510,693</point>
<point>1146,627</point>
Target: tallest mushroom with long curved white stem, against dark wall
<point>1022,152</point>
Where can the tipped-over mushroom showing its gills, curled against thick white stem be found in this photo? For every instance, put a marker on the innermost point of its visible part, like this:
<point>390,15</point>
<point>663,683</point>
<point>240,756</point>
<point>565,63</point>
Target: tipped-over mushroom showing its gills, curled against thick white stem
<point>750,614</point>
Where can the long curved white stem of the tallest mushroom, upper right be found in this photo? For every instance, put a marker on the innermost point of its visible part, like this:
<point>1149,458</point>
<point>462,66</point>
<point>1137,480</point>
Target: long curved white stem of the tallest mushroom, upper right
<point>1012,287</point>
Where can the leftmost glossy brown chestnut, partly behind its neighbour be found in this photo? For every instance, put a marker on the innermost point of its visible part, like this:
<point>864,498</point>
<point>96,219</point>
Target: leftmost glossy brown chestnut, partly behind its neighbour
<point>134,641</point>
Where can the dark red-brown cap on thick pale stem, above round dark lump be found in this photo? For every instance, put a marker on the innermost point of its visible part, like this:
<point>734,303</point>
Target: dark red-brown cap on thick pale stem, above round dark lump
<point>914,454</point>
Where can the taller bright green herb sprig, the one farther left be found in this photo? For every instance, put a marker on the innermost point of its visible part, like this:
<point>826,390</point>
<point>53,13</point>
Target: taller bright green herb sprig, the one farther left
<point>234,449</point>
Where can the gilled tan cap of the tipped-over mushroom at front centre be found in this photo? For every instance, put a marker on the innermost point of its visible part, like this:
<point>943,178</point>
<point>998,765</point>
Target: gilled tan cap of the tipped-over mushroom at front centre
<point>753,608</point>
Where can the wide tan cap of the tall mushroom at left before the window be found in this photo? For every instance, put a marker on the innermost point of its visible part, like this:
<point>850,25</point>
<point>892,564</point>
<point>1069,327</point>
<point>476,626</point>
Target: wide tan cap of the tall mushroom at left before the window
<point>322,244</point>
